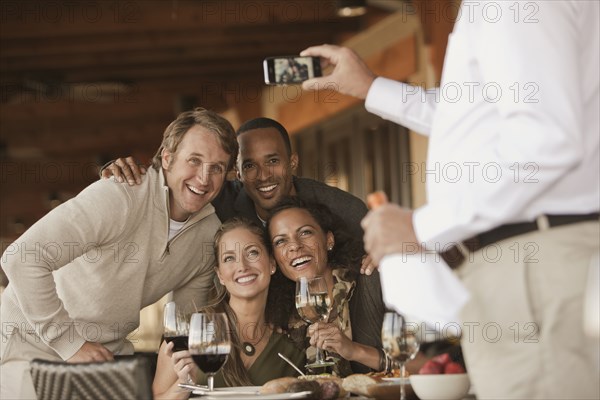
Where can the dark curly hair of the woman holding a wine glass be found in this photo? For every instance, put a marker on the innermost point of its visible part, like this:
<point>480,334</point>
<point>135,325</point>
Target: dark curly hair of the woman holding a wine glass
<point>347,253</point>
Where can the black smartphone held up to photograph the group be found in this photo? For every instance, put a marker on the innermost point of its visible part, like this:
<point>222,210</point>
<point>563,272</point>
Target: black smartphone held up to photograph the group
<point>290,70</point>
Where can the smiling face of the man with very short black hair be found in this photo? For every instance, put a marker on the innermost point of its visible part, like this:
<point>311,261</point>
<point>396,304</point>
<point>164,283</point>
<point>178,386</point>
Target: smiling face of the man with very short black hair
<point>265,168</point>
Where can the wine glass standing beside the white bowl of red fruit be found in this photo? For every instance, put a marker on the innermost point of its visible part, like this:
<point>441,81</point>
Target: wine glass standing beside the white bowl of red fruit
<point>400,341</point>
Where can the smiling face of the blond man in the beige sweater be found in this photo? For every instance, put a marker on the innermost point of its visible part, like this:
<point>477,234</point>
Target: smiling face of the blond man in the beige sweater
<point>195,173</point>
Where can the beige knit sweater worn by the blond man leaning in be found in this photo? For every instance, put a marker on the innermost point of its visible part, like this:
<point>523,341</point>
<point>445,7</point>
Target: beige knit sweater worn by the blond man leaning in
<point>84,271</point>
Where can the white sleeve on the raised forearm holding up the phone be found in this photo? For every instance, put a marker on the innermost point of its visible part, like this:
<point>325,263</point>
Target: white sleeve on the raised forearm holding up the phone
<point>407,105</point>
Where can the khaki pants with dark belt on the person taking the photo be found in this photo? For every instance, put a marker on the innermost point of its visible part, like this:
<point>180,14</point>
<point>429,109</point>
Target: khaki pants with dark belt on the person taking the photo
<point>523,330</point>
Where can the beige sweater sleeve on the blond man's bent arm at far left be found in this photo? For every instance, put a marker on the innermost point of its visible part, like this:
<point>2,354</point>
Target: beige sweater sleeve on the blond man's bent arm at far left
<point>95,216</point>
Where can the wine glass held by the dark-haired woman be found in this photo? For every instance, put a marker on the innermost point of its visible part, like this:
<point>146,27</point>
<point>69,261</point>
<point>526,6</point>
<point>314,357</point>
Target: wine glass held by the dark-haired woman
<point>313,304</point>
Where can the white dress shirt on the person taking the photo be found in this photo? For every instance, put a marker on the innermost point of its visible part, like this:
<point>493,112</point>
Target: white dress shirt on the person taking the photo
<point>514,127</point>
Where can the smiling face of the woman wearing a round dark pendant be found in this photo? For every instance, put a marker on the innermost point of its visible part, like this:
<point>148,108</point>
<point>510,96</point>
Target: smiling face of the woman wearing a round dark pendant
<point>244,264</point>
